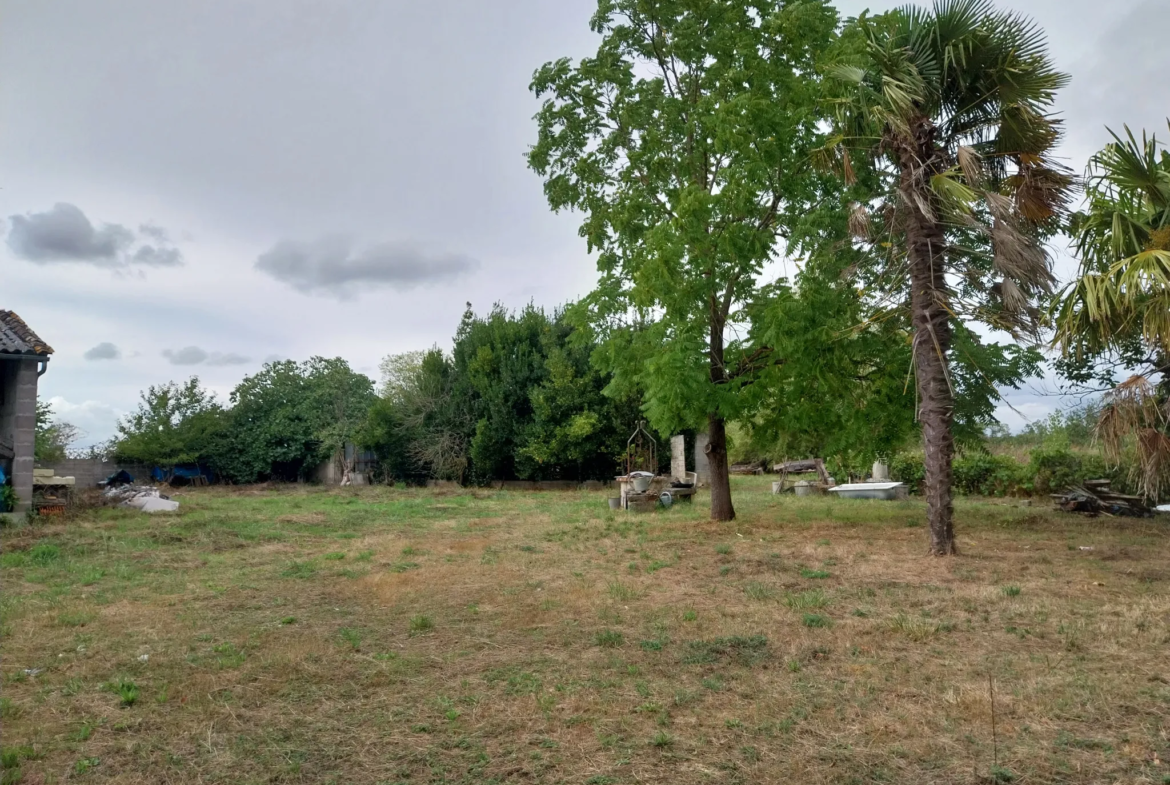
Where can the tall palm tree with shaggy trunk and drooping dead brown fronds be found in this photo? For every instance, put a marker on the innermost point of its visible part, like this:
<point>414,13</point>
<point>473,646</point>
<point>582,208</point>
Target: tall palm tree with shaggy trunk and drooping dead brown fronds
<point>949,106</point>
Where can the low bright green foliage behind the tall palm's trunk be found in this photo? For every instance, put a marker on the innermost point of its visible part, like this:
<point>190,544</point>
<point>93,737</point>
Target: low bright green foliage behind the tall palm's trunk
<point>844,391</point>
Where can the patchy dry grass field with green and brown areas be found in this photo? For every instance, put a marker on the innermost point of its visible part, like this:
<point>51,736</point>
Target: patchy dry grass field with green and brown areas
<point>293,635</point>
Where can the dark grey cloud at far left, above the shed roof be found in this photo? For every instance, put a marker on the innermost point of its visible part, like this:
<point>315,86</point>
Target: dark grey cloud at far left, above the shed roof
<point>66,235</point>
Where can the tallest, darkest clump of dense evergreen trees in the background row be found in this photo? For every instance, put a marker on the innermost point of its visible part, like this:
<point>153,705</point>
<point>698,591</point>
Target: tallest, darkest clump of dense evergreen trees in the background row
<point>518,400</point>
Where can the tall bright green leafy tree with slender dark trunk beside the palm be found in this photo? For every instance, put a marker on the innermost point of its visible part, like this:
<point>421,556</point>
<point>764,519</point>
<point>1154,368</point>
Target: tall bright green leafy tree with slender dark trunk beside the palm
<point>685,142</point>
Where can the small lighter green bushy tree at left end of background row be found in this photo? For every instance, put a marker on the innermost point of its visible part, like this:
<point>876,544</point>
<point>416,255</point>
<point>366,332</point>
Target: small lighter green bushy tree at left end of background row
<point>174,424</point>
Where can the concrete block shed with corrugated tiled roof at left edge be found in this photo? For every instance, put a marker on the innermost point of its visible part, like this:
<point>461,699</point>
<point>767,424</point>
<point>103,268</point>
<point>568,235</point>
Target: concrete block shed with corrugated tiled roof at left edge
<point>24,359</point>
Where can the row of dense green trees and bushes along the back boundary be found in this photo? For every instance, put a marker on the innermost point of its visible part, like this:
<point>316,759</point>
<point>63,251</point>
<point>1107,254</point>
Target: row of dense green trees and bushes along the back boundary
<point>518,398</point>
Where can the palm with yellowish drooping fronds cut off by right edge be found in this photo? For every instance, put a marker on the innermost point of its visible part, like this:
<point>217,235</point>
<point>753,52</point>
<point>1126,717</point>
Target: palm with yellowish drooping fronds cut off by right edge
<point>1118,311</point>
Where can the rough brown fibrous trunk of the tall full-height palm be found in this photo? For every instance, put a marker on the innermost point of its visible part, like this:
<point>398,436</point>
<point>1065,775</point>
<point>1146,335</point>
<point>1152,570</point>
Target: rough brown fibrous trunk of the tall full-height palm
<point>926,254</point>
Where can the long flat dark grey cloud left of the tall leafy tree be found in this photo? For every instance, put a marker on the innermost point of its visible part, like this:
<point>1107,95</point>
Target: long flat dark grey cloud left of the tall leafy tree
<point>332,267</point>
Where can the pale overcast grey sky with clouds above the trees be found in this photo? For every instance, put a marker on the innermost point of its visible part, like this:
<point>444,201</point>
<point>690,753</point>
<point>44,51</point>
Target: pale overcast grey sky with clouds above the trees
<point>197,187</point>
